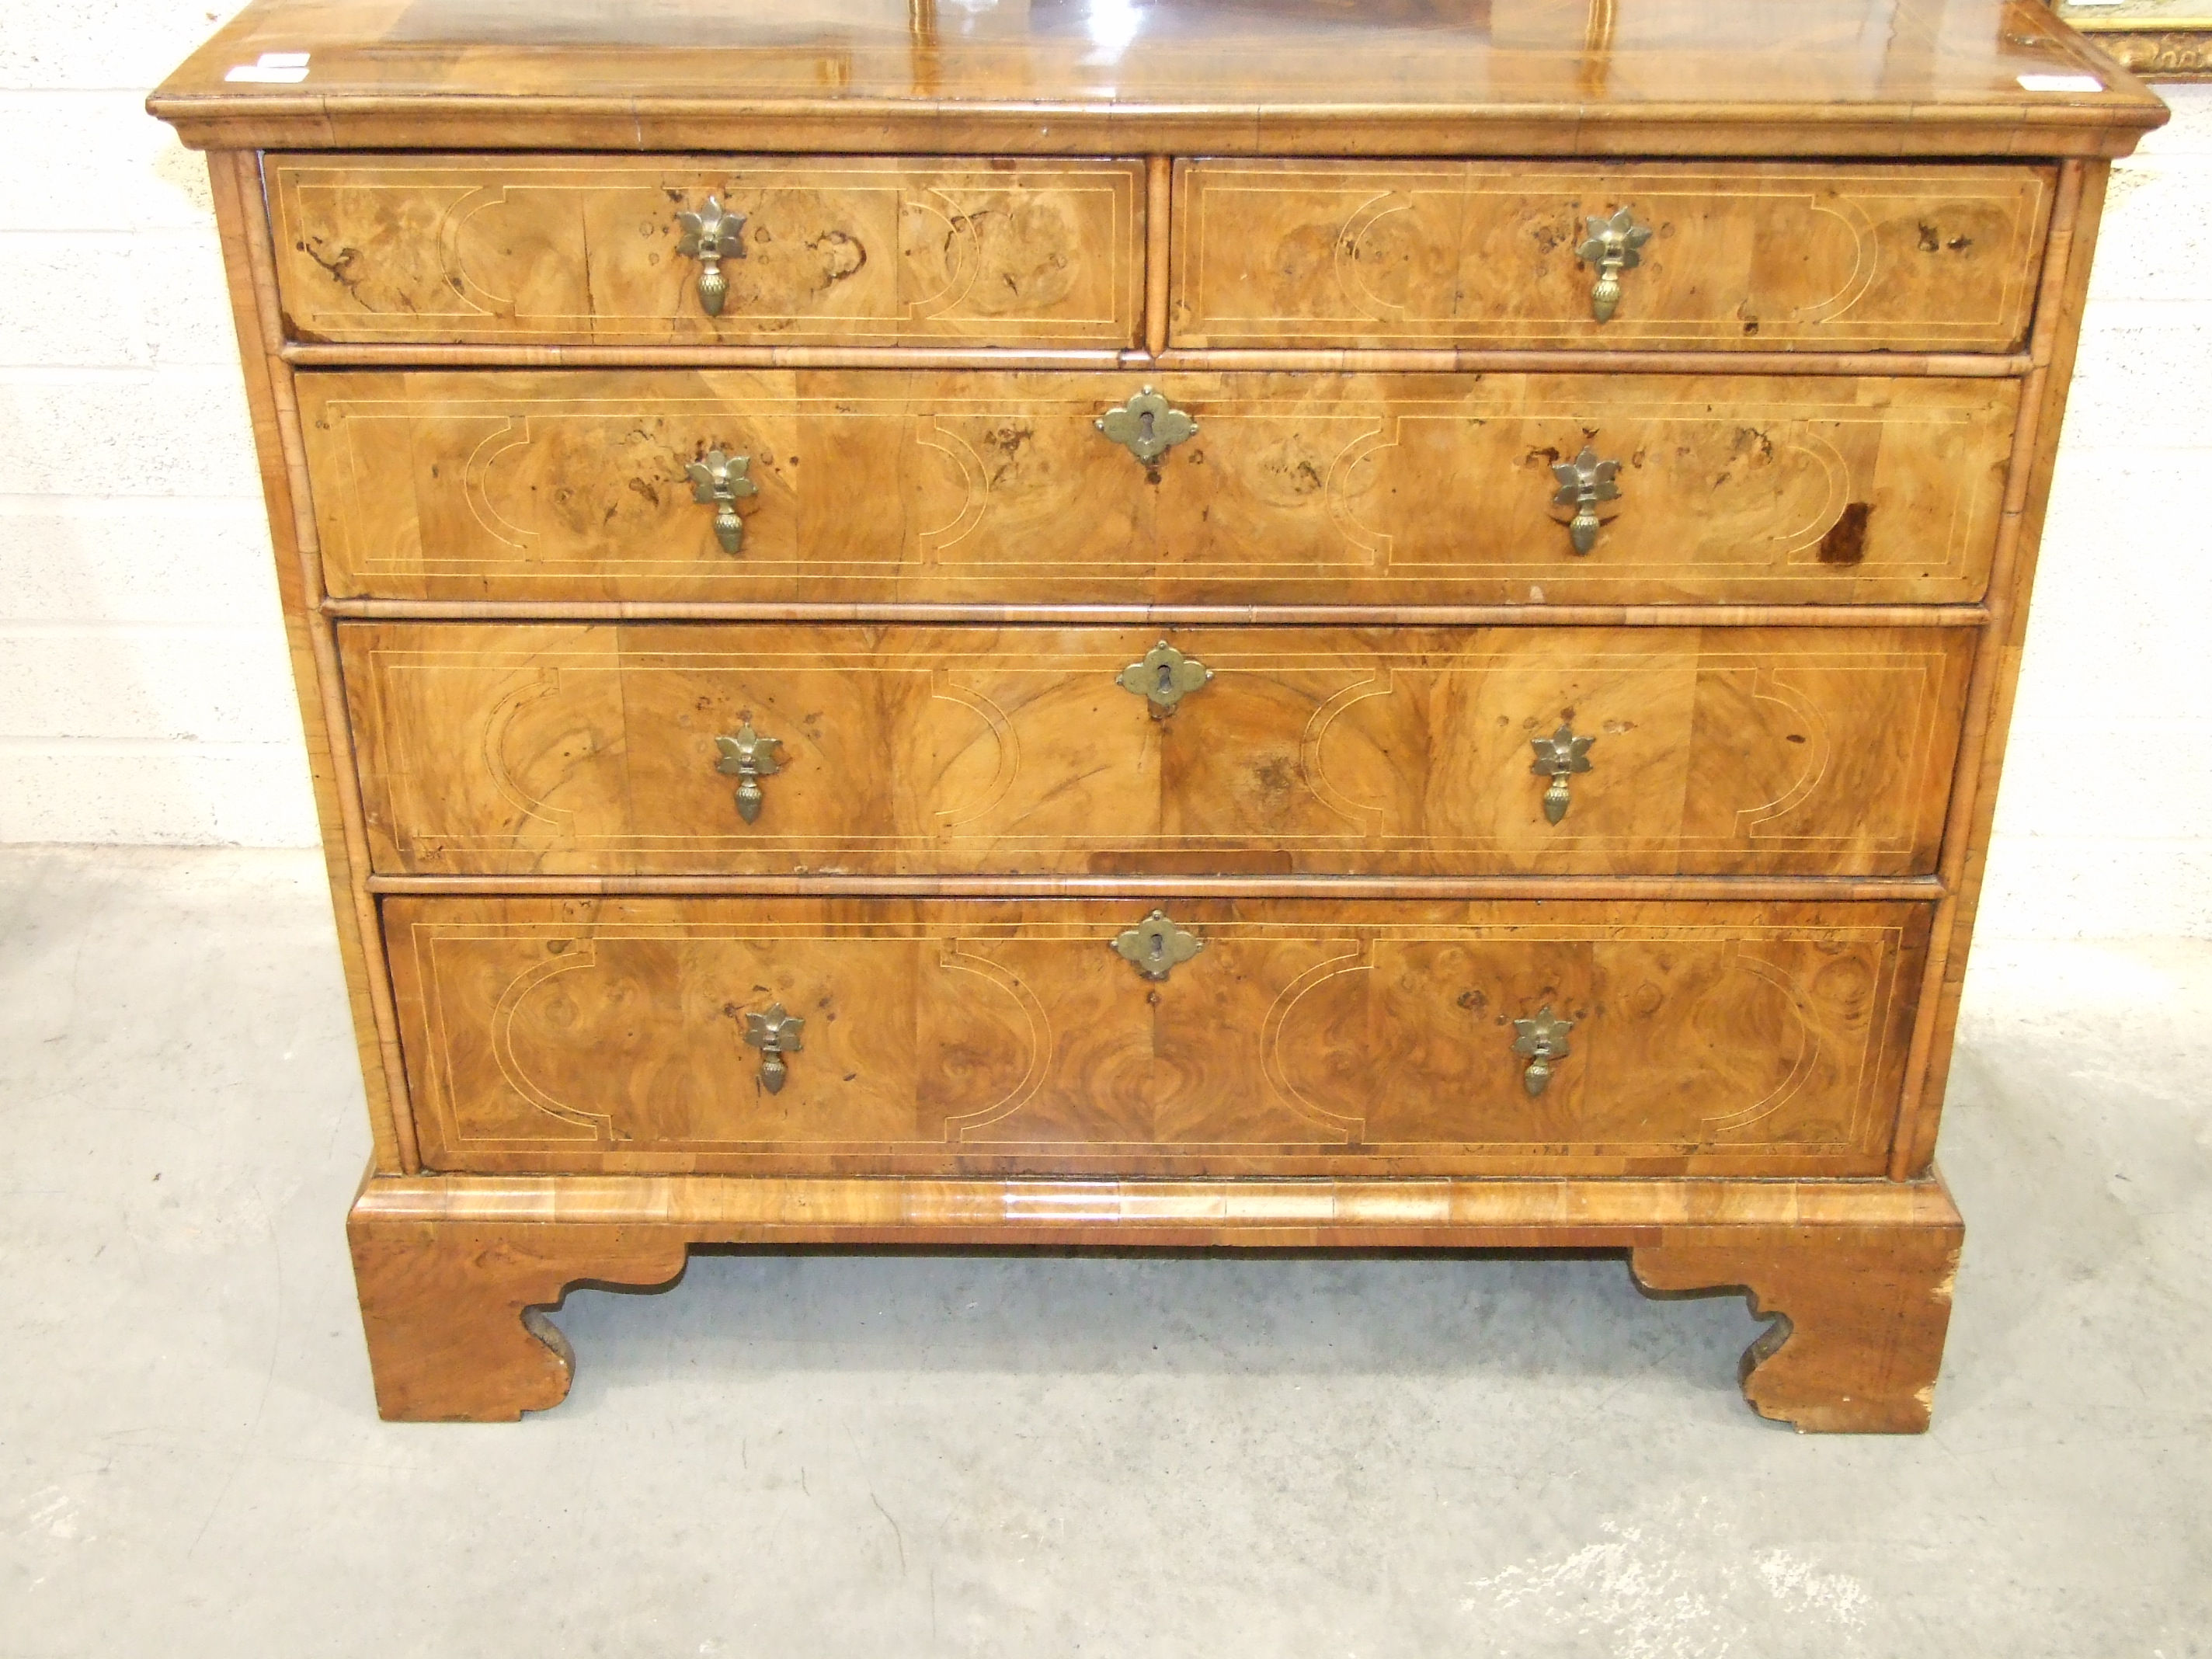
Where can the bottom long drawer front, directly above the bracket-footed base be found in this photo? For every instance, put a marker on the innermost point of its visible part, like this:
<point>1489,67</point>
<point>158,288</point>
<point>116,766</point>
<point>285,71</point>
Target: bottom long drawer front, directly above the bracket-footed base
<point>1019,1039</point>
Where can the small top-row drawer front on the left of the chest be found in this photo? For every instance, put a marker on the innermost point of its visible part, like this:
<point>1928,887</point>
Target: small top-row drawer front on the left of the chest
<point>811,251</point>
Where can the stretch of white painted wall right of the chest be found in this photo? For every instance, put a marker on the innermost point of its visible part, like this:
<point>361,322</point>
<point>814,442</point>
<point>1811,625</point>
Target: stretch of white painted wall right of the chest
<point>2105,824</point>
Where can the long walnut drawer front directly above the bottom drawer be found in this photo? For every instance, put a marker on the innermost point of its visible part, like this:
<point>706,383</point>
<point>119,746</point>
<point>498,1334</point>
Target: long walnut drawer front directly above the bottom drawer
<point>1089,751</point>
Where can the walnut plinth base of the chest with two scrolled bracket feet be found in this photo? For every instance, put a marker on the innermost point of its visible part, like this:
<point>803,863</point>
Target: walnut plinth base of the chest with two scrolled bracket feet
<point>1857,1273</point>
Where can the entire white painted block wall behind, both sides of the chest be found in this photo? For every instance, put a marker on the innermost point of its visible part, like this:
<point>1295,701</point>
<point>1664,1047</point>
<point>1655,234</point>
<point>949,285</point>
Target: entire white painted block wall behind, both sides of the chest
<point>143,674</point>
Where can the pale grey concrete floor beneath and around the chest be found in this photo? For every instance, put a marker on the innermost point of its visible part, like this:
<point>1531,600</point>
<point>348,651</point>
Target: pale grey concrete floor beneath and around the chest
<point>1047,1457</point>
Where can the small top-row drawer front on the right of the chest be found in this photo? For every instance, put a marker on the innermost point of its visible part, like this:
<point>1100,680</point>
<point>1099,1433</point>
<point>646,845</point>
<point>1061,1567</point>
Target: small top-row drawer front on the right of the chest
<point>1753,258</point>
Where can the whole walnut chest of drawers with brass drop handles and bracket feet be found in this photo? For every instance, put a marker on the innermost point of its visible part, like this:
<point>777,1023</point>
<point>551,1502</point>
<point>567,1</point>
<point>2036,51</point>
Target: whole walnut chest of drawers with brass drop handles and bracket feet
<point>1207,625</point>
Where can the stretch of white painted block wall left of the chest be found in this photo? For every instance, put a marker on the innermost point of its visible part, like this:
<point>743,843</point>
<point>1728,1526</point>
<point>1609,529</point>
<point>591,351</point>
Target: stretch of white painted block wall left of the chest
<point>143,671</point>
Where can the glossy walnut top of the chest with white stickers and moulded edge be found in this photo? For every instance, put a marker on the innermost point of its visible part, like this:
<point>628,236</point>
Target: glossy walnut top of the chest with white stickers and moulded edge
<point>1162,76</point>
